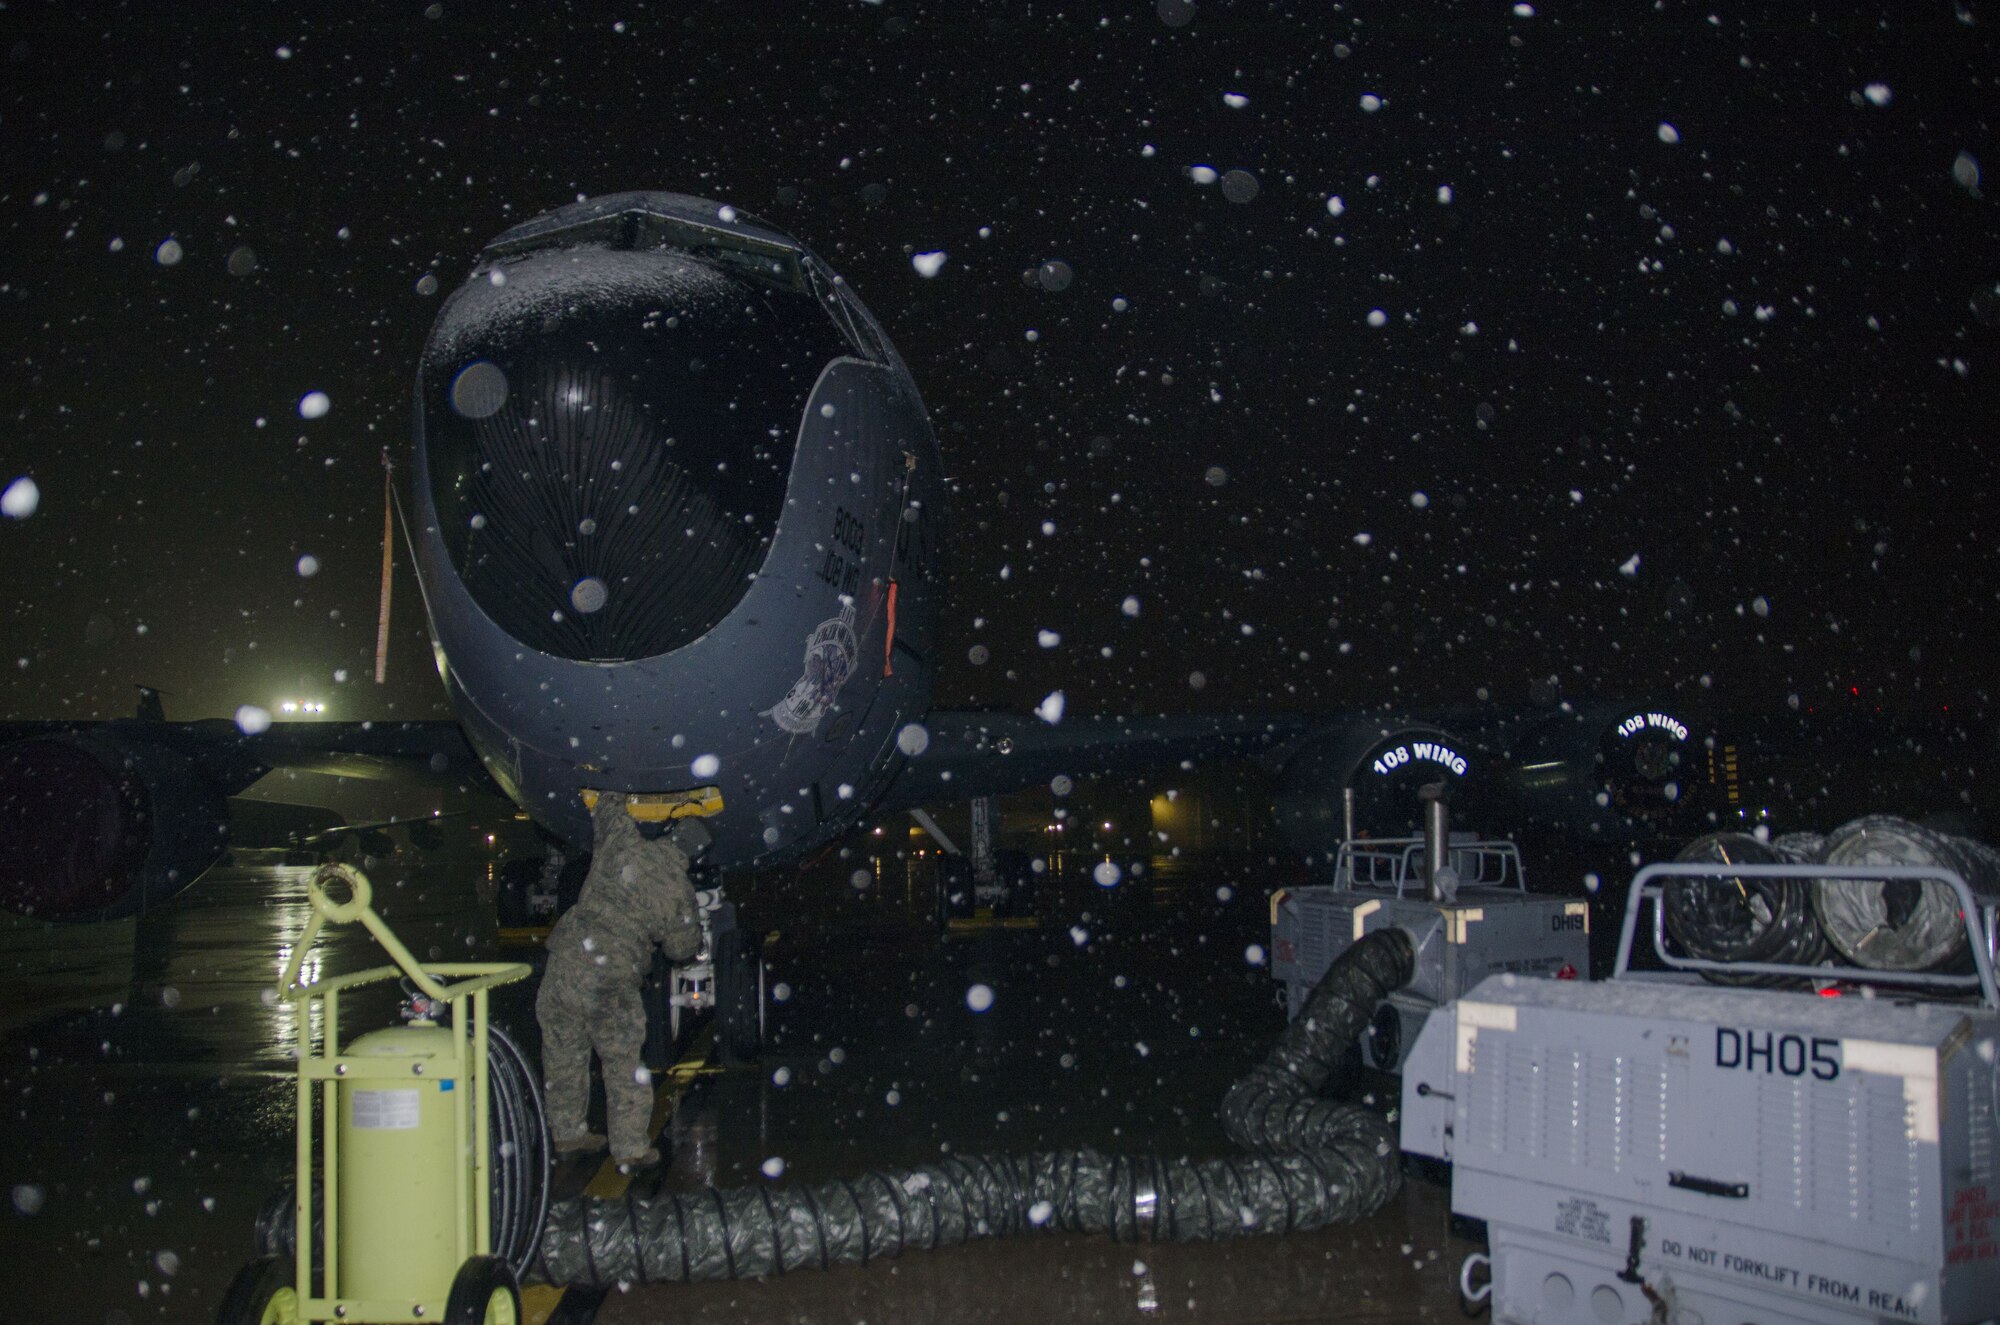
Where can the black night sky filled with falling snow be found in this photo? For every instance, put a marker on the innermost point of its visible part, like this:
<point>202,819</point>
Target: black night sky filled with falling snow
<point>1683,379</point>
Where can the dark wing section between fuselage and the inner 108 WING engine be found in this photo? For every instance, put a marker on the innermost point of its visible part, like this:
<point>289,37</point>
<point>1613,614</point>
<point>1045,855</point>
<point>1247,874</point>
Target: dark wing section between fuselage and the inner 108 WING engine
<point>995,754</point>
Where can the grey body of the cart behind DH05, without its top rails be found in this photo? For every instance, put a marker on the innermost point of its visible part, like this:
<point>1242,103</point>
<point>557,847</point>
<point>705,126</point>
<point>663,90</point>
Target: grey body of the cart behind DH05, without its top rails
<point>1459,944</point>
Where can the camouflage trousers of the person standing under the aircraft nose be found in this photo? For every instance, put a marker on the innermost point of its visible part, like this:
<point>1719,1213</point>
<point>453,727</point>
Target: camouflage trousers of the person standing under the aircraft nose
<point>585,1008</point>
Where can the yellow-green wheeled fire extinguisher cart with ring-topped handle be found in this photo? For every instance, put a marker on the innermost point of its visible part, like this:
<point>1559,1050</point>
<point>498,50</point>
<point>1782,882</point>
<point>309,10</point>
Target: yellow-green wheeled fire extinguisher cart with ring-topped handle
<point>401,1208</point>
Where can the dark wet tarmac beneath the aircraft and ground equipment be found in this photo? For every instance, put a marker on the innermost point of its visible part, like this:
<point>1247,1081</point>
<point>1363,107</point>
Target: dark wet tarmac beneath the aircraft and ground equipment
<point>147,1072</point>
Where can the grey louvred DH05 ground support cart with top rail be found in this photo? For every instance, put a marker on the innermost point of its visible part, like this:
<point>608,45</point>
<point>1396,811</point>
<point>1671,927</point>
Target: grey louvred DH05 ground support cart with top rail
<point>1657,1148</point>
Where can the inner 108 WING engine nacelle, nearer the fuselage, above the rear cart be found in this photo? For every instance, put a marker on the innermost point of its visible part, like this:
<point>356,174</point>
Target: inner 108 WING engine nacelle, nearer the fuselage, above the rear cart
<point>1383,764</point>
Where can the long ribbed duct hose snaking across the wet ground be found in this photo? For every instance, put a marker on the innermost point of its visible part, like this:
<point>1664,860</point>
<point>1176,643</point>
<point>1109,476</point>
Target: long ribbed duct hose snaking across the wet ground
<point>1315,1164</point>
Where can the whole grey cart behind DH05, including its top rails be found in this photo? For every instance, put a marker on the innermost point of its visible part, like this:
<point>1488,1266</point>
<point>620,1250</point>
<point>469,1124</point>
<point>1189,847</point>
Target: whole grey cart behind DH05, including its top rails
<point>1489,924</point>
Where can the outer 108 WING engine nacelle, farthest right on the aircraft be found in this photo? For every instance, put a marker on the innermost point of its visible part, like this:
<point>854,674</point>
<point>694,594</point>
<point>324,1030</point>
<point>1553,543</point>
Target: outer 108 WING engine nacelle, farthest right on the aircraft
<point>1611,774</point>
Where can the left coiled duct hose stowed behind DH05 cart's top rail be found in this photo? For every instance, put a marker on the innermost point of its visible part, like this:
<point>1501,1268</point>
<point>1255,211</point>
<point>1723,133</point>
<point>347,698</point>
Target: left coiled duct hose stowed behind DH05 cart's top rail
<point>1747,920</point>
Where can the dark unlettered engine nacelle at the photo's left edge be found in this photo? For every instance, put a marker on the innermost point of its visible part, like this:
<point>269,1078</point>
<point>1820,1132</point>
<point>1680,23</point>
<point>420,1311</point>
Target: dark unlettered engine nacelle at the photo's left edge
<point>97,828</point>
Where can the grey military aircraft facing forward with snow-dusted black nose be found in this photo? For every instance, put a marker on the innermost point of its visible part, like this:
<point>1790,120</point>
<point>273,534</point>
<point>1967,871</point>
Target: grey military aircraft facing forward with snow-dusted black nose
<point>679,521</point>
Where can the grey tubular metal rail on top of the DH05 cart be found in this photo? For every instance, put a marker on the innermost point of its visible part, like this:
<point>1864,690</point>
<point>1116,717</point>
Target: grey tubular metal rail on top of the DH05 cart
<point>1651,886</point>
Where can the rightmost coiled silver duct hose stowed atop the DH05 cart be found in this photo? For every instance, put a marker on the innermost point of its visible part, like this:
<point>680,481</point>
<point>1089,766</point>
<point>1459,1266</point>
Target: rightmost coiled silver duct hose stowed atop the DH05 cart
<point>1901,926</point>
